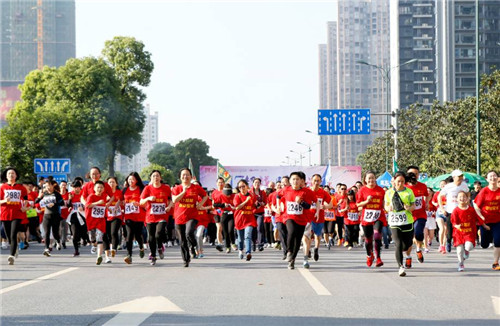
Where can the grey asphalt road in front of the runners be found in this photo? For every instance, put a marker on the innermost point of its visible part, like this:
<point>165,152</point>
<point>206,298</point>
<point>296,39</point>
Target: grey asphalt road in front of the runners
<point>220,289</point>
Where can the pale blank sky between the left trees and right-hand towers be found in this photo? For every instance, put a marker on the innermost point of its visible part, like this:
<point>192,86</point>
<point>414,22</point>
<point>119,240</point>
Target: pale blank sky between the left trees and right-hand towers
<point>241,75</point>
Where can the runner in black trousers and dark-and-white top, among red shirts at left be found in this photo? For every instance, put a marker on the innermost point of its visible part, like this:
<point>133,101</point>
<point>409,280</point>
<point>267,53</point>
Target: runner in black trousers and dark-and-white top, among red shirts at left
<point>53,202</point>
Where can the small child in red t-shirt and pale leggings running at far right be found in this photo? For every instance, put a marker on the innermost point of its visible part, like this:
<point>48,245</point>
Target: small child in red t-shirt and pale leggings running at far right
<point>464,219</point>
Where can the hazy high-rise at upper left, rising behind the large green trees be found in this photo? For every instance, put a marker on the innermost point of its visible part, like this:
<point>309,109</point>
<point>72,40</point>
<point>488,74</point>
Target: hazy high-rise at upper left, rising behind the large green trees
<point>34,33</point>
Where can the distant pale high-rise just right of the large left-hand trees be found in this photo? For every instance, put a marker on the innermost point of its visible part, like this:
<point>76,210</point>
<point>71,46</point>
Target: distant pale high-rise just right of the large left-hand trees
<point>125,164</point>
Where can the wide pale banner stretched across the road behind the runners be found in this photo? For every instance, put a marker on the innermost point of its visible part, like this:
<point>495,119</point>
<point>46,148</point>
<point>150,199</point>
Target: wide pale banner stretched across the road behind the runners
<point>332,175</point>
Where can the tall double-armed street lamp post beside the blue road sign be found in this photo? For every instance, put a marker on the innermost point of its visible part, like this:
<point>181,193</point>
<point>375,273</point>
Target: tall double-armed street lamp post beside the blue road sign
<point>386,76</point>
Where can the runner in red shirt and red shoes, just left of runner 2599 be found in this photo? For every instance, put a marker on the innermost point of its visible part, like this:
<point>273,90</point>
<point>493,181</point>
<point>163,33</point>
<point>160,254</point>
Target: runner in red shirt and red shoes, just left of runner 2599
<point>371,198</point>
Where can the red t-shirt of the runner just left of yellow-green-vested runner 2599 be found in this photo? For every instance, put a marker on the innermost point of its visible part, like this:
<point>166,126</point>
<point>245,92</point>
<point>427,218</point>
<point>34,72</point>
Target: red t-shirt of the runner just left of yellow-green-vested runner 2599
<point>374,210</point>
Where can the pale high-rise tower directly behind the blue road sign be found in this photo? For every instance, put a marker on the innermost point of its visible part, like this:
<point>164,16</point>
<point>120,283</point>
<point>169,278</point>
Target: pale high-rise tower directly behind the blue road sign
<point>361,33</point>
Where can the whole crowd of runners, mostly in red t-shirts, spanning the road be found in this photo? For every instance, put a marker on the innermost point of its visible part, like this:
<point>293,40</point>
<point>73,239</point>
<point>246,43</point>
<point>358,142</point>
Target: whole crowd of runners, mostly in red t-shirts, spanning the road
<point>287,215</point>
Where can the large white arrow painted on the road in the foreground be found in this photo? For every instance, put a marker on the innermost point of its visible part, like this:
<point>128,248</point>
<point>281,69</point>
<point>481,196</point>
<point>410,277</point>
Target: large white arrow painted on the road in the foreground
<point>136,311</point>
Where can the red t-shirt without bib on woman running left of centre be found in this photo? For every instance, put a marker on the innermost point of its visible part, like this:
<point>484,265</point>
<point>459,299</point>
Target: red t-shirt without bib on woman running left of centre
<point>185,209</point>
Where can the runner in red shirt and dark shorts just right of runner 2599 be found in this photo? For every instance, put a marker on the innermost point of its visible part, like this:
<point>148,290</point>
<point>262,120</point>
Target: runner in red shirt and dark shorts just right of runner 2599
<point>422,200</point>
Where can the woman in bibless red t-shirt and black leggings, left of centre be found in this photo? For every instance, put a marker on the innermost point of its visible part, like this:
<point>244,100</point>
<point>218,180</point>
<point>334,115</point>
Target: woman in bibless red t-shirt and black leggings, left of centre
<point>185,198</point>
